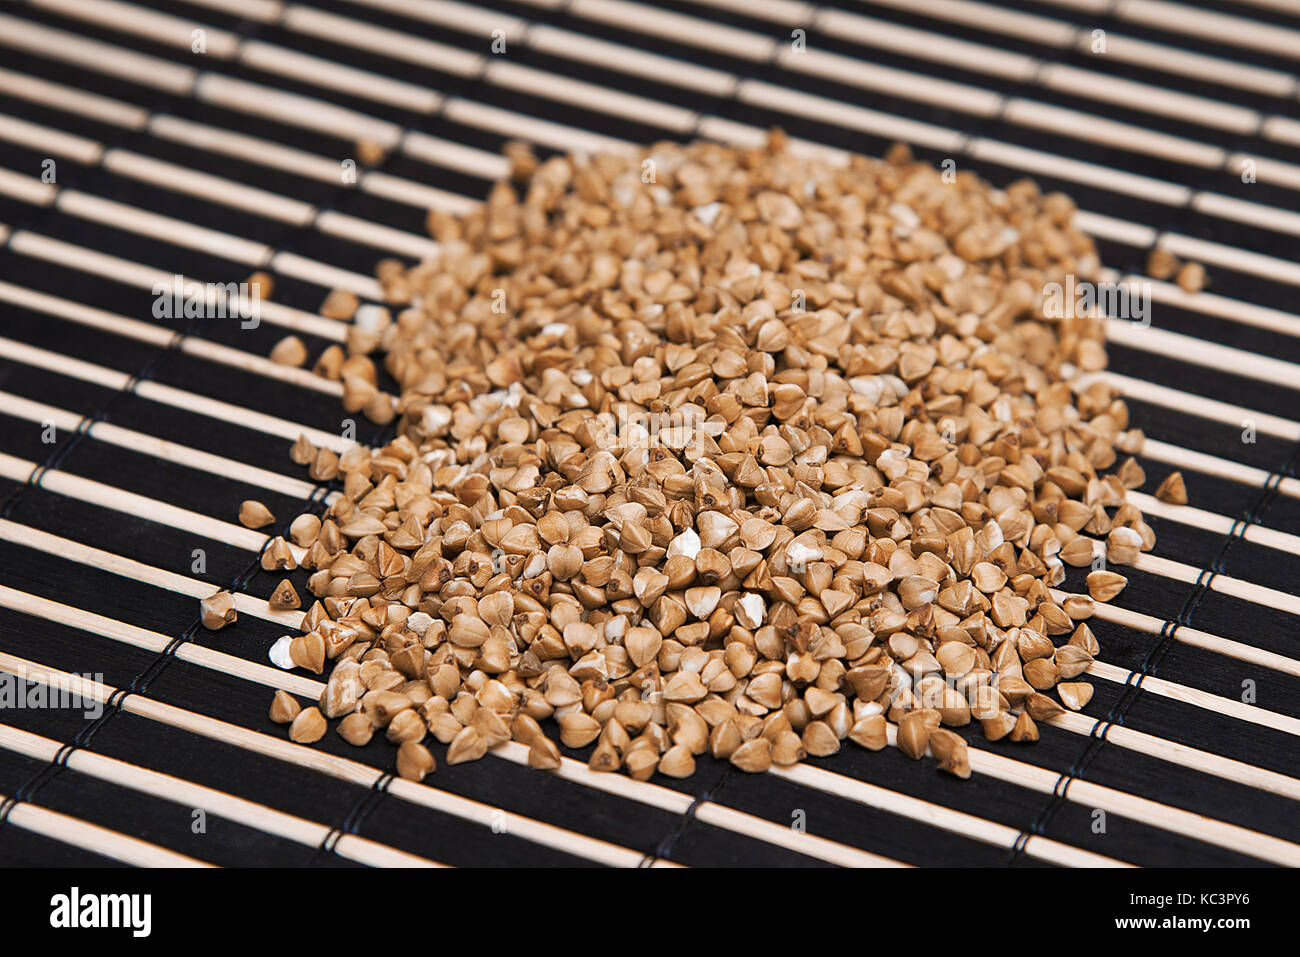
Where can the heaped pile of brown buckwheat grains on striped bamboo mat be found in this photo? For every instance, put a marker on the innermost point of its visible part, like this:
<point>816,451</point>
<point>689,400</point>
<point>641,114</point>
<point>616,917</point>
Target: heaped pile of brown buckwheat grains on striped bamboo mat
<point>717,451</point>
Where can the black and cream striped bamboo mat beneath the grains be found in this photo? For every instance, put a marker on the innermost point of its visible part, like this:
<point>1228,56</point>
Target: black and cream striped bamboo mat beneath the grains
<point>127,441</point>
